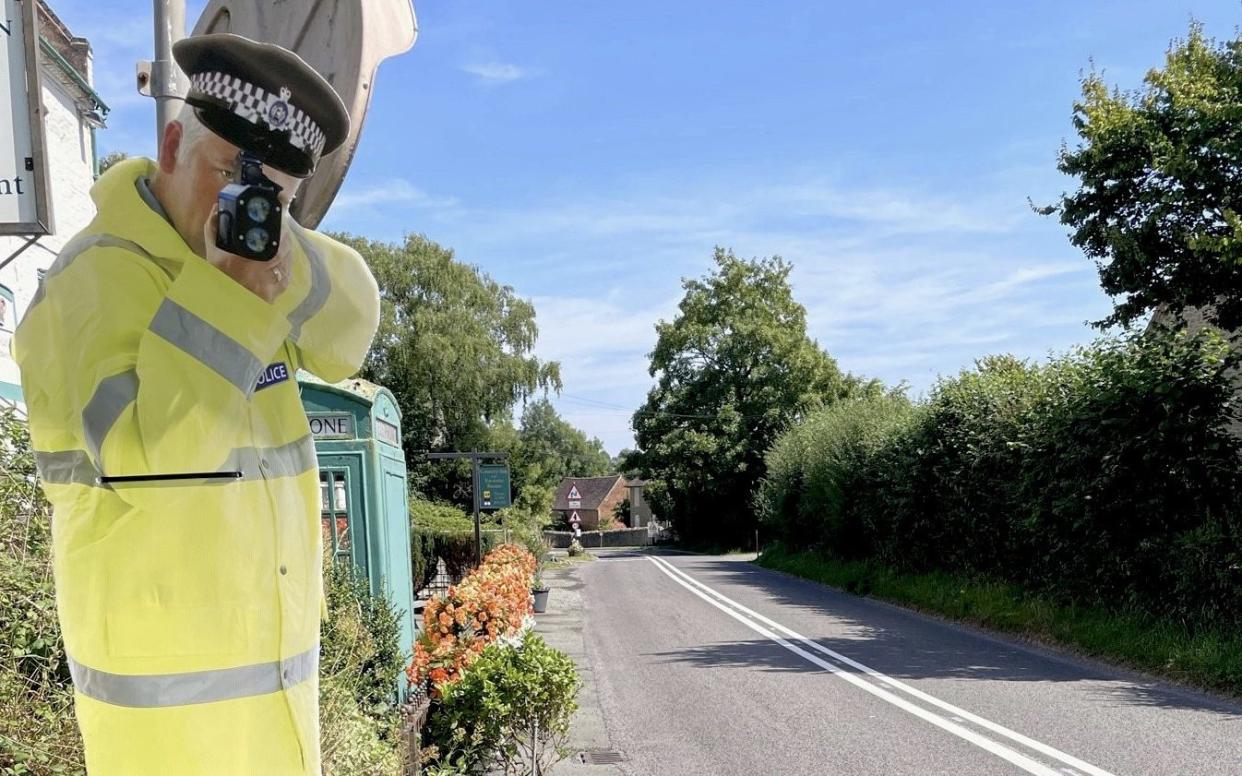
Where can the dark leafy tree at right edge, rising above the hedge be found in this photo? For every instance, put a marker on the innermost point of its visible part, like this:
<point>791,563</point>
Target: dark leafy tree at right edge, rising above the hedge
<point>1161,173</point>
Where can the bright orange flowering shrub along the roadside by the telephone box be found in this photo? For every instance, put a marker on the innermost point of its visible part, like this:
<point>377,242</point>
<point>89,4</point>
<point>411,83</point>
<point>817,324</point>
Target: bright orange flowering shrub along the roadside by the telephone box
<point>491,604</point>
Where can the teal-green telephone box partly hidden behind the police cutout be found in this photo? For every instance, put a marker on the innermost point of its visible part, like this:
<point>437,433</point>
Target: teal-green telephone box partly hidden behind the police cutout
<point>357,430</point>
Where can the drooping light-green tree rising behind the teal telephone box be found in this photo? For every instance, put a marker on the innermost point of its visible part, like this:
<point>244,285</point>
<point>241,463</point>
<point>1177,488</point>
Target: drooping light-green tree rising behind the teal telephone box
<point>455,348</point>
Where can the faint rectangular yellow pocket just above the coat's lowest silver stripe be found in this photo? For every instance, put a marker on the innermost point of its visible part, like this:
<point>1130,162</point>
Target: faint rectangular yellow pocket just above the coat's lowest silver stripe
<point>150,631</point>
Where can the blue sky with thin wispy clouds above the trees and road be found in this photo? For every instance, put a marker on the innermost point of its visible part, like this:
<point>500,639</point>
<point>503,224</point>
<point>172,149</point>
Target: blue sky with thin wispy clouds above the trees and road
<point>592,155</point>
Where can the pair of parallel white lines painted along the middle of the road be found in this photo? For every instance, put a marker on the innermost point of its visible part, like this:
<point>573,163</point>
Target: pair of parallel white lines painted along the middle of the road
<point>700,589</point>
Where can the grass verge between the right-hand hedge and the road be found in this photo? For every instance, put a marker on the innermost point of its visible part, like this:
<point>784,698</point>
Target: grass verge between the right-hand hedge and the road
<point>1208,659</point>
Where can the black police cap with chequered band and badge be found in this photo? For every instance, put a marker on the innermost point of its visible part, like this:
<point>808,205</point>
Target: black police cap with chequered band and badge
<point>263,99</point>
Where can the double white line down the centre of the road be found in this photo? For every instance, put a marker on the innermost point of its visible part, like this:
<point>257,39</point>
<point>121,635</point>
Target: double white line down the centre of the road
<point>808,649</point>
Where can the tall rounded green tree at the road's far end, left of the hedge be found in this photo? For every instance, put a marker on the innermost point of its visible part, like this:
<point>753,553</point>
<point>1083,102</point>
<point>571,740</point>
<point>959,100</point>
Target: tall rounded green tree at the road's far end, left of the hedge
<point>733,369</point>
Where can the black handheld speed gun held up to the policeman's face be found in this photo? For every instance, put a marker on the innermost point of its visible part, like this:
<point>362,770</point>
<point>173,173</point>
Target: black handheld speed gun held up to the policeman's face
<point>249,222</point>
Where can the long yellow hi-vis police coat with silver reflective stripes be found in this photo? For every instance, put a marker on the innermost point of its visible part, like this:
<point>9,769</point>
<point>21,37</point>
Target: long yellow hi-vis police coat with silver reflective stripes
<point>191,609</point>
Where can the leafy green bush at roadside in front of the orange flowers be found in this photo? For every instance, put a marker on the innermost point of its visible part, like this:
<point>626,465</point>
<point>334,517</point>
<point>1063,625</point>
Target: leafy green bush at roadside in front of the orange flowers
<point>510,710</point>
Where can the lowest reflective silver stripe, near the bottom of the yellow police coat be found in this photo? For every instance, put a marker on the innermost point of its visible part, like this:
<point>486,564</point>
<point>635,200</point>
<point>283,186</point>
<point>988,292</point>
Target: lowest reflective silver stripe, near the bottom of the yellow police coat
<point>161,691</point>
